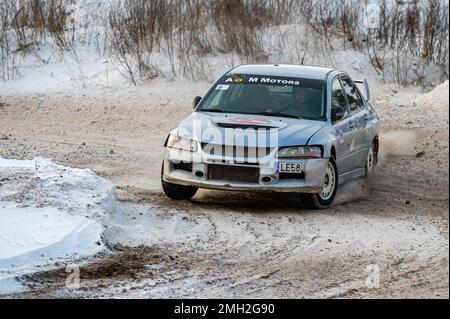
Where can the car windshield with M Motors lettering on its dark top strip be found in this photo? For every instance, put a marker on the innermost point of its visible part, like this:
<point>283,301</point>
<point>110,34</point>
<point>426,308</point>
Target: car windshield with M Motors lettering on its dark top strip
<point>267,95</point>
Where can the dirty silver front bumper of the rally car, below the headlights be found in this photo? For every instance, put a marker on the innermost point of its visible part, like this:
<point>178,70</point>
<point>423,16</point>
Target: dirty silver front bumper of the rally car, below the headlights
<point>311,181</point>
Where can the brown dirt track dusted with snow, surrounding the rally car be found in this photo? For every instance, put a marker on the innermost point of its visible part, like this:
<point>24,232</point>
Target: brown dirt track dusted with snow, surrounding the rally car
<point>225,244</point>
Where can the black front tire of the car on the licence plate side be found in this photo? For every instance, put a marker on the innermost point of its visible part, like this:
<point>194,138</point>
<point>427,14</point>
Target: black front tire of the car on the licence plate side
<point>324,199</point>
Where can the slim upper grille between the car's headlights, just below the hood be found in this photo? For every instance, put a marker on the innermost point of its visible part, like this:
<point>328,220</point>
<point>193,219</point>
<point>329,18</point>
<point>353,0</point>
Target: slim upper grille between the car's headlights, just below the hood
<point>236,151</point>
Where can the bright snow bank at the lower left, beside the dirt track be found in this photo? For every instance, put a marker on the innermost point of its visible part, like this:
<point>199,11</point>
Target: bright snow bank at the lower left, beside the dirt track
<point>48,214</point>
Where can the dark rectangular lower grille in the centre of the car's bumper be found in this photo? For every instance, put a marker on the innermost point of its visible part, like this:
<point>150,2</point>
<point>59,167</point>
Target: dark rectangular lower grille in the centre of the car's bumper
<point>233,173</point>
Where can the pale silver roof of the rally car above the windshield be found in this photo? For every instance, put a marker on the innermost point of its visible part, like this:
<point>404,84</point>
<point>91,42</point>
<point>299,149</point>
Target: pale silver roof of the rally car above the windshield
<point>284,70</point>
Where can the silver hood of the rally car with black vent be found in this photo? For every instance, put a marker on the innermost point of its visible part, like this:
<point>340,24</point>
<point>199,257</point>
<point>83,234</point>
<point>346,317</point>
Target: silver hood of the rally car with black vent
<point>219,128</point>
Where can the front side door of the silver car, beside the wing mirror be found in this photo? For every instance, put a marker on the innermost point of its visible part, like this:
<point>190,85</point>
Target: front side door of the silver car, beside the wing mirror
<point>344,129</point>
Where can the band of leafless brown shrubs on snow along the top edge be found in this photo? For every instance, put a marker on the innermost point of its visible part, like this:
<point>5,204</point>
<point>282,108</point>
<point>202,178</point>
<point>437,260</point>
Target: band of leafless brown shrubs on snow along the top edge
<point>184,34</point>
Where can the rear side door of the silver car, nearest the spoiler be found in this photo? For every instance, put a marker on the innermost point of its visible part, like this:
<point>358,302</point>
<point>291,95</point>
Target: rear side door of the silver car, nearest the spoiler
<point>359,115</point>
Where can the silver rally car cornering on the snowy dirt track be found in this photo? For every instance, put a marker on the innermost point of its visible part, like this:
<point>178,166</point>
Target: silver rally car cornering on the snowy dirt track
<point>274,128</point>
